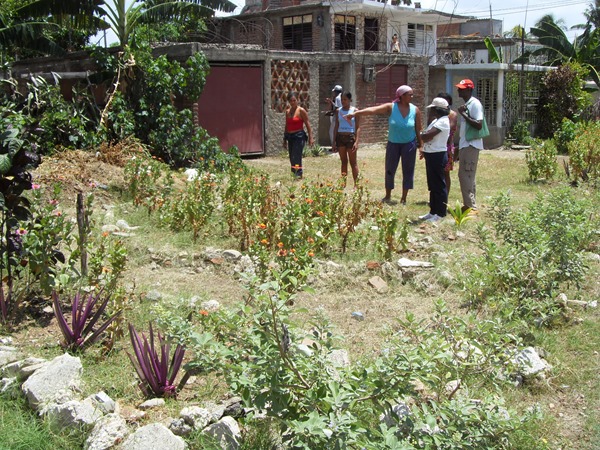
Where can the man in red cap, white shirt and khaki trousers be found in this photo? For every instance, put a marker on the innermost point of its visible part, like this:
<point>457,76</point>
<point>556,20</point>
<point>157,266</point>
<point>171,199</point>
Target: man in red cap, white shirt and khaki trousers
<point>471,115</point>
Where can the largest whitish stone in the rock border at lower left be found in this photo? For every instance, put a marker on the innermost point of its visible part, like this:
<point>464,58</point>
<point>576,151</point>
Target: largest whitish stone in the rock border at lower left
<point>63,373</point>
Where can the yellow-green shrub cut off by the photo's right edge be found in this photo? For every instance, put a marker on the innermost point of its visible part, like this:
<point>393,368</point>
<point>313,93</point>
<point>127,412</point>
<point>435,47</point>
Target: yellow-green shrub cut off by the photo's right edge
<point>584,154</point>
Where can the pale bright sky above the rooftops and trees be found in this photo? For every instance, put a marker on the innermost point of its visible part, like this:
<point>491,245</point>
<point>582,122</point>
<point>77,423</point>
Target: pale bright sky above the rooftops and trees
<point>512,12</point>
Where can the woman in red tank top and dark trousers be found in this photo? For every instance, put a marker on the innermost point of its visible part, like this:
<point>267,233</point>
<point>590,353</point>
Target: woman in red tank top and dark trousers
<point>296,118</point>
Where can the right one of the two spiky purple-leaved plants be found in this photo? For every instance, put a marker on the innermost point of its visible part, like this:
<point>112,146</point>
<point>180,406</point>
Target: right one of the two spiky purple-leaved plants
<point>157,375</point>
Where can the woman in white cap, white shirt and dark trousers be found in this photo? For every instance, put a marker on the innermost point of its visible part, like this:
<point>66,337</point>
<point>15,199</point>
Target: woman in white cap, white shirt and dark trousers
<point>435,138</point>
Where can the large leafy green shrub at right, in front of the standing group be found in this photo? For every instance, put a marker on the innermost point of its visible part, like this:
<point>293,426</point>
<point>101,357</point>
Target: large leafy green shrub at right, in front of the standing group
<point>532,256</point>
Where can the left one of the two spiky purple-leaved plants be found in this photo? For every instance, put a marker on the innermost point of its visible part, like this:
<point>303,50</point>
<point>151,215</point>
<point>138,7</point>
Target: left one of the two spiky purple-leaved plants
<point>81,334</point>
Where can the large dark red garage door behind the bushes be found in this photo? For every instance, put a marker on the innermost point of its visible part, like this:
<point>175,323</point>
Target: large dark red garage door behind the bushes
<point>231,107</point>
